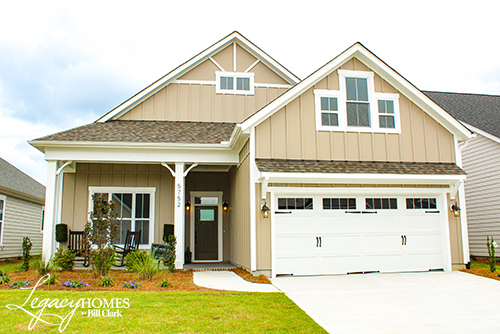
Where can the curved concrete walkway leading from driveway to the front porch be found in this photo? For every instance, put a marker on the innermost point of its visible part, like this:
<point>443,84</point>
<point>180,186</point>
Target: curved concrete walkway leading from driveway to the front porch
<point>227,280</point>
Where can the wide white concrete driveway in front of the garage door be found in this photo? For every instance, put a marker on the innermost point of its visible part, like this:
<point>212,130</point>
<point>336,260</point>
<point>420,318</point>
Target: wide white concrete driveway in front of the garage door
<point>433,302</point>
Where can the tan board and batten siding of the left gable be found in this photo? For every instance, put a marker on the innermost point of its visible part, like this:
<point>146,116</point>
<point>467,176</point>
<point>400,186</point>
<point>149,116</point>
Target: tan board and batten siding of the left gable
<point>195,99</point>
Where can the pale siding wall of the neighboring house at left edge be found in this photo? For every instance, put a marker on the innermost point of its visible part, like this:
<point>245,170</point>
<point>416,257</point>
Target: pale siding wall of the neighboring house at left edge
<point>21,218</point>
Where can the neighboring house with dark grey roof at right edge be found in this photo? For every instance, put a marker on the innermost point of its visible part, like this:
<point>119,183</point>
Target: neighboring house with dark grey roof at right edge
<point>481,161</point>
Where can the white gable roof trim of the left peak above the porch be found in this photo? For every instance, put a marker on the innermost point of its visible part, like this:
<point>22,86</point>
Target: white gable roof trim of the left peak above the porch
<point>234,37</point>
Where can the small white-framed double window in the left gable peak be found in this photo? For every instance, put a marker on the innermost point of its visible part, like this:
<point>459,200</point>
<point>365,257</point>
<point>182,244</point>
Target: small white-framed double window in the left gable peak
<point>234,83</point>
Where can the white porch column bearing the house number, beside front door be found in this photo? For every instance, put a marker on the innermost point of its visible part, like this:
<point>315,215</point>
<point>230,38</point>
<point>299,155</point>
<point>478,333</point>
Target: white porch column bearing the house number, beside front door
<point>179,214</point>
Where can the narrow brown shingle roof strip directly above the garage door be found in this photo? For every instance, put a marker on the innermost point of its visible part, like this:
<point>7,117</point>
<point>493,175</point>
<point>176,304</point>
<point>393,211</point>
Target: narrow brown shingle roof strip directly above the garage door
<point>315,166</point>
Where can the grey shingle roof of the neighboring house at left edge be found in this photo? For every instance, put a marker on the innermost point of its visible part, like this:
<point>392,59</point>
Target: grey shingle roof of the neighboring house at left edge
<point>13,178</point>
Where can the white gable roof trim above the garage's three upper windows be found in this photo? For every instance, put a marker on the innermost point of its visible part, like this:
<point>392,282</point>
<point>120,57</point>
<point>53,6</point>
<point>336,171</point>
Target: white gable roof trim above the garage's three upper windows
<point>387,73</point>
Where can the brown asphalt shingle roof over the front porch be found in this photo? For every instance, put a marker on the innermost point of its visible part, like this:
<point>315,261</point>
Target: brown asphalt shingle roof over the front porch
<point>147,132</point>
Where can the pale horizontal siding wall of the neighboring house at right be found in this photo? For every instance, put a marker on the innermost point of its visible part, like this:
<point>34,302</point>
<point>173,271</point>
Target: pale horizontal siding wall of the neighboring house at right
<point>481,161</point>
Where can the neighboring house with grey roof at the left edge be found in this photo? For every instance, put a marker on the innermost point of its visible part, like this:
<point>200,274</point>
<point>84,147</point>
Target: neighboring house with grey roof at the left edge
<point>21,211</point>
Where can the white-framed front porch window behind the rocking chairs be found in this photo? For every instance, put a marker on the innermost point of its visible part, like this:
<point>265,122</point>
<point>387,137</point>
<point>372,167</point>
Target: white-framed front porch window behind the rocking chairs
<point>135,208</point>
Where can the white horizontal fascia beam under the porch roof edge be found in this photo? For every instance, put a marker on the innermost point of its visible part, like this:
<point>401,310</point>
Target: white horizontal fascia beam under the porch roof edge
<point>142,155</point>
